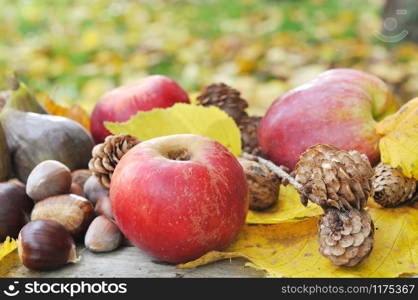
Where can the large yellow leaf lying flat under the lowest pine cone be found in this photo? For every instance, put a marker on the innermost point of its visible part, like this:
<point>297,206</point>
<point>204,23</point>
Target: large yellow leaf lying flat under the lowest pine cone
<point>292,250</point>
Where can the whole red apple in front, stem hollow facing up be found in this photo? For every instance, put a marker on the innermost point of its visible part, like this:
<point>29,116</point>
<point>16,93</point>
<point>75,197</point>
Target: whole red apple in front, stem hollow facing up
<point>179,197</point>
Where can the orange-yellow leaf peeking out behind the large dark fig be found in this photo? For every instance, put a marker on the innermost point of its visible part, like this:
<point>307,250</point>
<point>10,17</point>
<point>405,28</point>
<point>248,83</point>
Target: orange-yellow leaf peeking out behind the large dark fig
<point>74,112</point>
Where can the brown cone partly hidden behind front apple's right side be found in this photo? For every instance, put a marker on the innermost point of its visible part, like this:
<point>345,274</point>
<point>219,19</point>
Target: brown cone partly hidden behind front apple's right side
<point>263,184</point>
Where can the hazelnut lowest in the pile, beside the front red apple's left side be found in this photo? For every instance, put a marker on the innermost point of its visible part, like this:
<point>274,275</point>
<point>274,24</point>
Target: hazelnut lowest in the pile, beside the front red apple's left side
<point>103,235</point>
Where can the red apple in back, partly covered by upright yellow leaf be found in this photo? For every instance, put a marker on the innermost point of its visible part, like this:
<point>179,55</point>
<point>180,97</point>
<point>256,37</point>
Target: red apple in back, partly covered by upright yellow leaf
<point>121,103</point>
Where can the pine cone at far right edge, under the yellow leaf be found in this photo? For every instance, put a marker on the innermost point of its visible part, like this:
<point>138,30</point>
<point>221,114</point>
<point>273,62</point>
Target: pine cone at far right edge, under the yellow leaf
<point>392,188</point>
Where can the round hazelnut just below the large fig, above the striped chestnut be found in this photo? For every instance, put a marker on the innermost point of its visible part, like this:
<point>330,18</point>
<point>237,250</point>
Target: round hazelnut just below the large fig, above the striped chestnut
<point>49,178</point>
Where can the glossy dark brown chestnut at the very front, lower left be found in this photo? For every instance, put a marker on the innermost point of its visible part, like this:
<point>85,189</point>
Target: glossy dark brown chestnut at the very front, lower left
<point>45,245</point>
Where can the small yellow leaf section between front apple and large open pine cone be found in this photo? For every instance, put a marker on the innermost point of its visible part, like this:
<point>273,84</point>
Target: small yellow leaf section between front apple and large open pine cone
<point>287,209</point>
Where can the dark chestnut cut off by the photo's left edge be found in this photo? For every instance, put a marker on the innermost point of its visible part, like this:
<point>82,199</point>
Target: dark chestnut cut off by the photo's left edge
<point>15,208</point>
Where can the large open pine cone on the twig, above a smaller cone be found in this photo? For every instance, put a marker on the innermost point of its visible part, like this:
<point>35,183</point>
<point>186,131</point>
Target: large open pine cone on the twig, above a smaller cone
<point>334,178</point>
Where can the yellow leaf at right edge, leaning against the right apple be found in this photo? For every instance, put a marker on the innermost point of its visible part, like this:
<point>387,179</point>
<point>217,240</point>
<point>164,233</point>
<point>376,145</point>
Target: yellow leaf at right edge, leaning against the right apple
<point>399,144</point>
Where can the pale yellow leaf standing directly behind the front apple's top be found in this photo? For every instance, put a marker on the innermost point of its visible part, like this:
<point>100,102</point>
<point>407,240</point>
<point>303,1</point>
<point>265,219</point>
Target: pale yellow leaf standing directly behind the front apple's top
<point>182,118</point>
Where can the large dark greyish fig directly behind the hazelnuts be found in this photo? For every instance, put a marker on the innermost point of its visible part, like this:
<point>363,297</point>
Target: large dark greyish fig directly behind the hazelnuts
<point>33,138</point>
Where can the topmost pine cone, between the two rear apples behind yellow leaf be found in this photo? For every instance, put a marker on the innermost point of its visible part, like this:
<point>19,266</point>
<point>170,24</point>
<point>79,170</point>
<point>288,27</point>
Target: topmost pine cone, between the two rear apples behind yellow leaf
<point>226,98</point>
